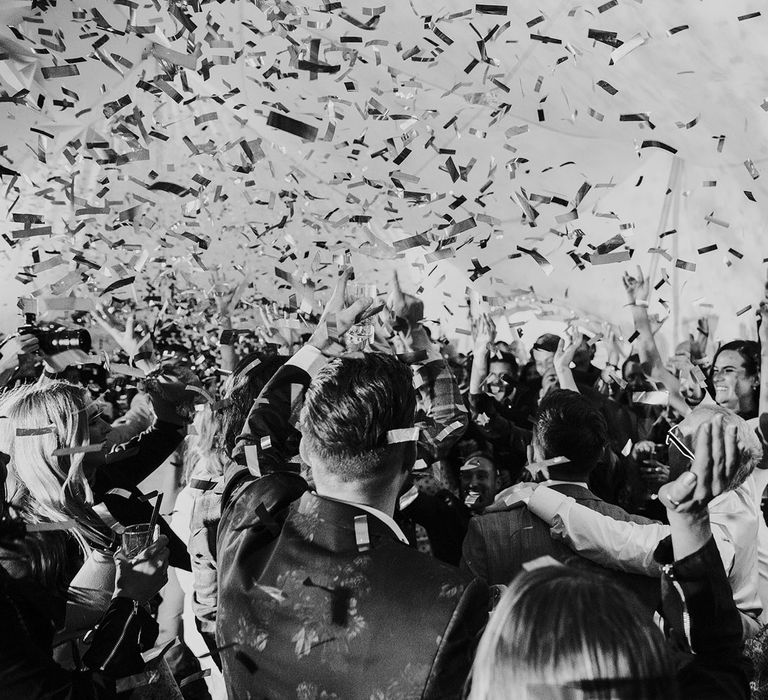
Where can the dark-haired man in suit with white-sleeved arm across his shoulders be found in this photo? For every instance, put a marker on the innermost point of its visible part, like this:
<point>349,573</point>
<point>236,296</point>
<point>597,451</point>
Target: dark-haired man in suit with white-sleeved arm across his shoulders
<point>507,536</point>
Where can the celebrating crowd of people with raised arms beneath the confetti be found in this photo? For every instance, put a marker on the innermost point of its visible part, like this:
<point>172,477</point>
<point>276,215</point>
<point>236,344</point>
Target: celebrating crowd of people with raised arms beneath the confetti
<point>352,508</point>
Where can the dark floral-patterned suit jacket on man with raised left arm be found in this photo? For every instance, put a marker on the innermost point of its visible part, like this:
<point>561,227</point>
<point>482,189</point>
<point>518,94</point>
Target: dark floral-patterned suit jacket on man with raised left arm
<point>306,611</point>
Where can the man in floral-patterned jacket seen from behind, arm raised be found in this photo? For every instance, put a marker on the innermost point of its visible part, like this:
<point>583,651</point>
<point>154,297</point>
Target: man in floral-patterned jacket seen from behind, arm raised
<point>320,594</point>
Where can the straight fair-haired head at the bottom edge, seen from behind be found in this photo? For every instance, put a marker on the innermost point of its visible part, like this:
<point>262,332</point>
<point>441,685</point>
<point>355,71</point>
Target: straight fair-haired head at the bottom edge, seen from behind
<point>562,633</point>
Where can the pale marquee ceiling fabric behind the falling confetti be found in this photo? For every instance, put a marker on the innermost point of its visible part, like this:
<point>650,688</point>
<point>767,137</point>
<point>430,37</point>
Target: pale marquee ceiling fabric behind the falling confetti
<point>495,147</point>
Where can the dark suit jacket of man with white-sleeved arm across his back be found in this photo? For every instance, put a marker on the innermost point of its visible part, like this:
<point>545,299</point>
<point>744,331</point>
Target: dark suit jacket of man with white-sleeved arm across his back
<point>499,543</point>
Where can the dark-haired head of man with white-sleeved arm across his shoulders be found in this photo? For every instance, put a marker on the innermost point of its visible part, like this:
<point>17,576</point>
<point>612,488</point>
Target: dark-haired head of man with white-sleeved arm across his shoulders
<point>569,425</point>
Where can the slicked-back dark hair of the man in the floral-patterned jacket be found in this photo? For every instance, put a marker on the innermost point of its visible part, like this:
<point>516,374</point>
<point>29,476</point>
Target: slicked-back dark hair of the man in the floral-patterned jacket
<point>349,408</point>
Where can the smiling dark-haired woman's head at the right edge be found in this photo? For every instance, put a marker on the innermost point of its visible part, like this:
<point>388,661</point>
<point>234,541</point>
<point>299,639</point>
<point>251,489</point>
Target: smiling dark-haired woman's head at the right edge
<point>736,377</point>
